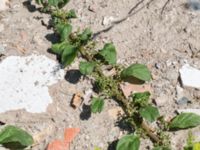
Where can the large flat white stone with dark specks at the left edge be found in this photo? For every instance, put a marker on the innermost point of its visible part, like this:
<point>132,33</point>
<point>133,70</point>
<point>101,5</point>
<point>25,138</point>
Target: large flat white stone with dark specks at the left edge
<point>24,82</point>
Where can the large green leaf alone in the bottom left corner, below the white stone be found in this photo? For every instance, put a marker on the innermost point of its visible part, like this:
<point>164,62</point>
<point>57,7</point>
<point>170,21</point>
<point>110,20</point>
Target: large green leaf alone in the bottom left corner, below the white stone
<point>15,138</point>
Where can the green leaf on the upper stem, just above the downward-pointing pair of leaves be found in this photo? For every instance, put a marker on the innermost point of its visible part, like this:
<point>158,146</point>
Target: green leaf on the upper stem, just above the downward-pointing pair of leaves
<point>64,30</point>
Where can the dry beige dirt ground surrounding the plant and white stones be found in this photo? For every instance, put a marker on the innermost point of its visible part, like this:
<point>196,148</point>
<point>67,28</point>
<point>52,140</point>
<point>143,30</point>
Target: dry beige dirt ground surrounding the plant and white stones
<point>164,38</point>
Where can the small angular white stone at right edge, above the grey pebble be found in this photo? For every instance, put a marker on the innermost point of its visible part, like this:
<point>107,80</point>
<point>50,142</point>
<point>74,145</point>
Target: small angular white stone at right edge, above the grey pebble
<point>190,76</point>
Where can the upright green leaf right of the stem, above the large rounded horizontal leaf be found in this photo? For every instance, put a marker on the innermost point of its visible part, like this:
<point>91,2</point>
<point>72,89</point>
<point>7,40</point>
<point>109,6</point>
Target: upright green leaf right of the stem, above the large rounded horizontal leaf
<point>109,53</point>
